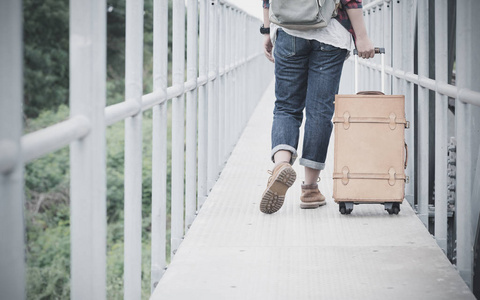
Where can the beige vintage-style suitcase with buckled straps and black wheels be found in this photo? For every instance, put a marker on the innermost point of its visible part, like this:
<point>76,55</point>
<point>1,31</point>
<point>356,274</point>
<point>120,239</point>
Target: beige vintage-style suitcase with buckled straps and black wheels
<point>370,153</point>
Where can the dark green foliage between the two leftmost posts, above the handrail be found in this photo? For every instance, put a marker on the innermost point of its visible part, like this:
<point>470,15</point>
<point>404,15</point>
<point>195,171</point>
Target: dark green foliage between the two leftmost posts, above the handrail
<point>46,71</point>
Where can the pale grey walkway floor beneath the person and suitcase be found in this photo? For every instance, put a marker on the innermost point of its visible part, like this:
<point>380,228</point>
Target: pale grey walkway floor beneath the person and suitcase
<point>233,251</point>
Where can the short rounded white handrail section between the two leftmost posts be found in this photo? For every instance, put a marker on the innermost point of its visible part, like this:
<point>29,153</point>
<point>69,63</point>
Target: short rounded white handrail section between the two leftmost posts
<point>44,141</point>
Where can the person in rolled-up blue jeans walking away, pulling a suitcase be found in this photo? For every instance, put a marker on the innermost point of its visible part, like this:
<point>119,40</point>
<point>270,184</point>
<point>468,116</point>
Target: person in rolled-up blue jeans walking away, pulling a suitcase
<point>308,65</point>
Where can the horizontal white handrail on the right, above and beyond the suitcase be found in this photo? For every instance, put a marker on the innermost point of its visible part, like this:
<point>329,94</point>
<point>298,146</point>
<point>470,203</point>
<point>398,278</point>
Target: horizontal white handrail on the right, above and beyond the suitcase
<point>462,94</point>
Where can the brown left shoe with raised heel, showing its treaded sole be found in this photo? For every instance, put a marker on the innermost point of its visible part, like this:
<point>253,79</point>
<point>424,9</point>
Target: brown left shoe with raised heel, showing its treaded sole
<point>283,177</point>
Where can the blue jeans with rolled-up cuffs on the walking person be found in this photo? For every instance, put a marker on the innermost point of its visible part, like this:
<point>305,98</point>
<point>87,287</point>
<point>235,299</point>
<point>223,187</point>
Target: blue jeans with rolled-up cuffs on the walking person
<point>307,75</point>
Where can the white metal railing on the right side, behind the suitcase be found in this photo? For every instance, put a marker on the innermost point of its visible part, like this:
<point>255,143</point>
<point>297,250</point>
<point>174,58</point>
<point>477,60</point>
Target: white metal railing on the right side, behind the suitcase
<point>405,28</point>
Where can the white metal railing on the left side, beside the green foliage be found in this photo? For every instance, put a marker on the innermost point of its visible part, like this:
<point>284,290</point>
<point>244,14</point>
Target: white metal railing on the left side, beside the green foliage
<point>225,78</point>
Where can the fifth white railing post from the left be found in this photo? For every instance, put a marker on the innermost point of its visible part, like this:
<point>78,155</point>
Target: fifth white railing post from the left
<point>178,127</point>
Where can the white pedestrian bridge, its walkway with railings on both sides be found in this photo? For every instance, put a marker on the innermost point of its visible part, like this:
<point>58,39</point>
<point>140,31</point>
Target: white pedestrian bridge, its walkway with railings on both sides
<point>221,99</point>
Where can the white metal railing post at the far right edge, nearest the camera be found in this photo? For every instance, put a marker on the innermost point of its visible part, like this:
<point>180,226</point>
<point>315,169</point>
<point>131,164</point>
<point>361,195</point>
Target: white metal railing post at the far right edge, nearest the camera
<point>467,76</point>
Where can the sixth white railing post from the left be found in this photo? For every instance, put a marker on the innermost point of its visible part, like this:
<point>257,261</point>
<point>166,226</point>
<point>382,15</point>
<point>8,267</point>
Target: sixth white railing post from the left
<point>191,152</point>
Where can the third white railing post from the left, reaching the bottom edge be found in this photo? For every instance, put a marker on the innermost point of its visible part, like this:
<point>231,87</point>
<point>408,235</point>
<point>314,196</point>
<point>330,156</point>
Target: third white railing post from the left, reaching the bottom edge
<point>133,151</point>
